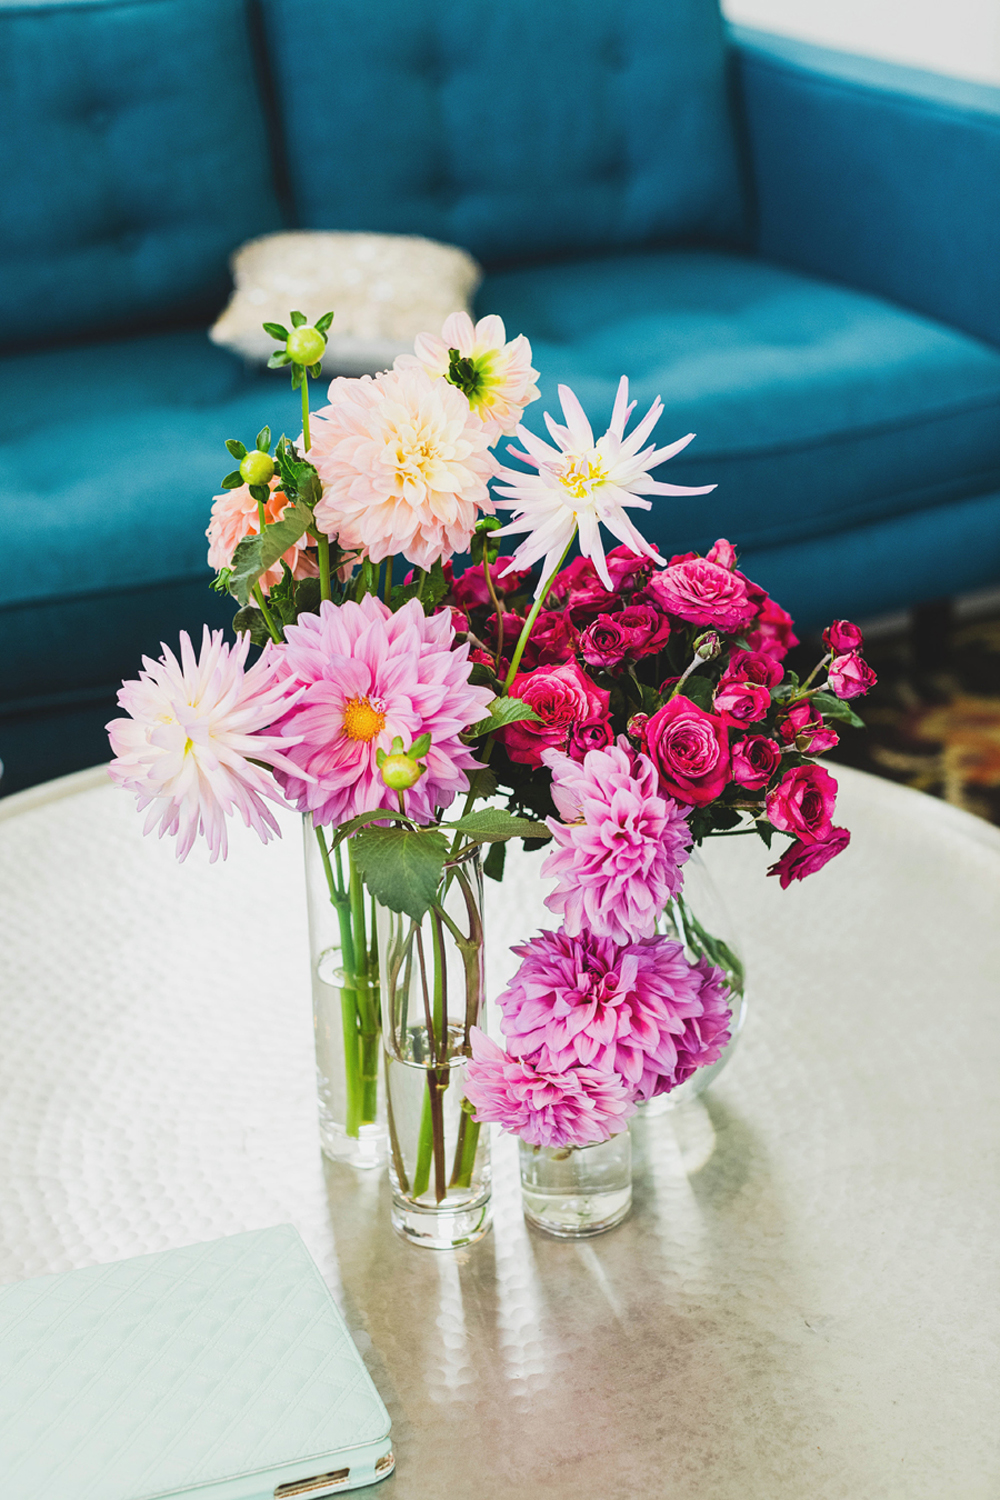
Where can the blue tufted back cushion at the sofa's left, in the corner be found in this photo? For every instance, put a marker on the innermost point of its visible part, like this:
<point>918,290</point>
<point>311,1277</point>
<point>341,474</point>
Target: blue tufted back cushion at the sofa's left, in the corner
<point>136,161</point>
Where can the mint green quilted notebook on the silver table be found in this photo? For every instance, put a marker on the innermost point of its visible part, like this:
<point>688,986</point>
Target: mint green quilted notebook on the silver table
<point>221,1372</point>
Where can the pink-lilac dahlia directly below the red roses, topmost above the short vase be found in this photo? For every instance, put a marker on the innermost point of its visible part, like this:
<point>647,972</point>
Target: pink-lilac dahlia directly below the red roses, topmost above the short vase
<point>618,857</point>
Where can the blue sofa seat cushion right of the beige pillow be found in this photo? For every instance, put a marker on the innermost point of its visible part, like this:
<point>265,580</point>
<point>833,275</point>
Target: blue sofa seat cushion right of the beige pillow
<point>816,409</point>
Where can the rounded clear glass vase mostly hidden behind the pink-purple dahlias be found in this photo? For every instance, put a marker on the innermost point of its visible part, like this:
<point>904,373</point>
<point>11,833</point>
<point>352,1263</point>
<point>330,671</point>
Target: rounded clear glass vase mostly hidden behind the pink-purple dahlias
<point>701,920</point>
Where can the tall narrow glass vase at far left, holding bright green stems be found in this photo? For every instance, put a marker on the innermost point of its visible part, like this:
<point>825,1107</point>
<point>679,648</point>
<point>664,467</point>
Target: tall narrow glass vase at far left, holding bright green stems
<point>346,1009</point>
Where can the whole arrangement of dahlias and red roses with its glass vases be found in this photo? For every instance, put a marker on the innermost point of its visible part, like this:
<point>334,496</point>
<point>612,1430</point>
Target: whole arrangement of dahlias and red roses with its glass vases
<point>623,707</point>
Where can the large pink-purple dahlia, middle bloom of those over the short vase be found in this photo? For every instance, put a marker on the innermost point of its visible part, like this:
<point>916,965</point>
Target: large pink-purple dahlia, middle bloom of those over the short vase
<point>585,1001</point>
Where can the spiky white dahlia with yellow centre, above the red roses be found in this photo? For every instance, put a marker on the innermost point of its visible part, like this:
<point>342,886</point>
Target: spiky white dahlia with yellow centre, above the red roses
<point>582,484</point>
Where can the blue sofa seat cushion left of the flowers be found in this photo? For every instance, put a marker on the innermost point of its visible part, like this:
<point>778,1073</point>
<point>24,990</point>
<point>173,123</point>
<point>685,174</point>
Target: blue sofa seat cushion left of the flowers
<point>112,455</point>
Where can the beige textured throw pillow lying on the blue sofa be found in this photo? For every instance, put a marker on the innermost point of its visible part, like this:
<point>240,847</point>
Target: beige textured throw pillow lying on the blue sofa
<point>383,289</point>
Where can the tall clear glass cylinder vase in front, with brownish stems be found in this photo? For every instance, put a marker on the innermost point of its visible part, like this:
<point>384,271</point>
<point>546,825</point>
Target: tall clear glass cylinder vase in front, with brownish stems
<point>433,986</point>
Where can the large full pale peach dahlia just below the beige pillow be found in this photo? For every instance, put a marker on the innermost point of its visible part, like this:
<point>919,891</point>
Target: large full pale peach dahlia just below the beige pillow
<point>404,463</point>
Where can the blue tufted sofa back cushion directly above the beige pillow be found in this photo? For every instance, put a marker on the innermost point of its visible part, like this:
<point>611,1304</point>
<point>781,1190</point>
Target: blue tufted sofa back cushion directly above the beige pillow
<point>519,131</point>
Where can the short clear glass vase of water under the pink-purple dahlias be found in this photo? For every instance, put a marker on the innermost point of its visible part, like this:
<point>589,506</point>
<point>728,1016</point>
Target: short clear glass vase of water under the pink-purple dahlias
<point>575,1192</point>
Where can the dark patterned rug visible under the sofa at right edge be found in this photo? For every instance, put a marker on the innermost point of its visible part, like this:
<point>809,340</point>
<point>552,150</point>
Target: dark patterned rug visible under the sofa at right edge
<point>933,721</point>
